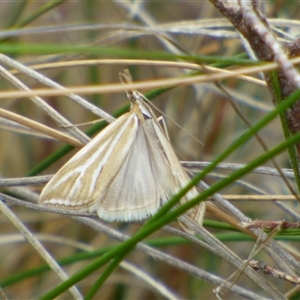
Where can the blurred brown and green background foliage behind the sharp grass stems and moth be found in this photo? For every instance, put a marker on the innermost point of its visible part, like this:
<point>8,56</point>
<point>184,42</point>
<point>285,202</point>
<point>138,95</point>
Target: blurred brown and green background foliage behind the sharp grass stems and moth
<point>203,112</point>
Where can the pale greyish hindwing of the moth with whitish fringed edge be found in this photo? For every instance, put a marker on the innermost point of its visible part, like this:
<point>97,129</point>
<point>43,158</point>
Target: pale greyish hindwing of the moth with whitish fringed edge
<point>143,181</point>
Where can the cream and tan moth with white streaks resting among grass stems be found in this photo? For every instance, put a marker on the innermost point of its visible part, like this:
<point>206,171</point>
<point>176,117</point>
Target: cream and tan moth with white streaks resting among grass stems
<point>125,173</point>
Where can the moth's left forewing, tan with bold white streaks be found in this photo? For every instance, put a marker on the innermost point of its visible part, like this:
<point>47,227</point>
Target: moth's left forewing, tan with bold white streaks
<point>75,184</point>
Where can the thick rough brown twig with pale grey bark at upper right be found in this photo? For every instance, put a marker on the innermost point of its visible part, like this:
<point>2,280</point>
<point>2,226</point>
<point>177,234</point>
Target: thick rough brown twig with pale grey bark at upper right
<point>253,26</point>
